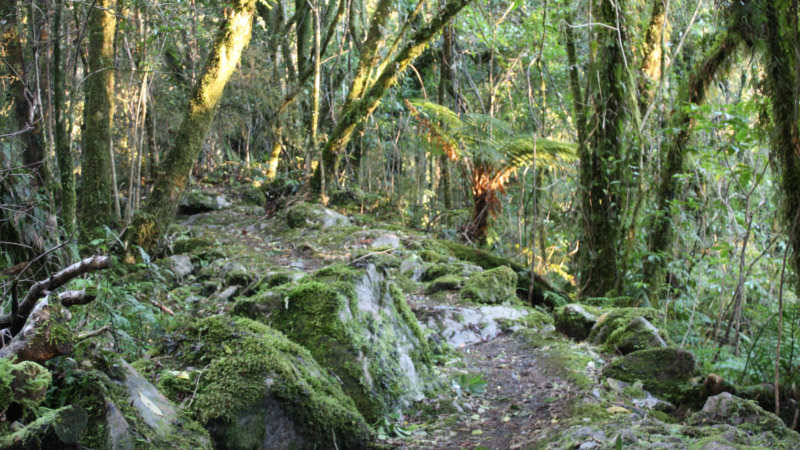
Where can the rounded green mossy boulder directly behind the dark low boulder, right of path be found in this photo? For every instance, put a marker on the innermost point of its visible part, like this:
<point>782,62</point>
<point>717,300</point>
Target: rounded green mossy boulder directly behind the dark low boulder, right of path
<point>626,330</point>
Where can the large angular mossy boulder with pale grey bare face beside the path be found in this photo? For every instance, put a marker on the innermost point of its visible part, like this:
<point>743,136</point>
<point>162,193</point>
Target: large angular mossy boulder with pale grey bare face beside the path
<point>358,325</point>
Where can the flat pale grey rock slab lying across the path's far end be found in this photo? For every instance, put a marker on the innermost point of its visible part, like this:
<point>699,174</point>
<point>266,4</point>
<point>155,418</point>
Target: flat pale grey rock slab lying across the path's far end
<point>461,326</point>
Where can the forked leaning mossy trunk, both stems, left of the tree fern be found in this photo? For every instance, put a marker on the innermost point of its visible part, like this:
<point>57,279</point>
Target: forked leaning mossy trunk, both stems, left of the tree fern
<point>365,94</point>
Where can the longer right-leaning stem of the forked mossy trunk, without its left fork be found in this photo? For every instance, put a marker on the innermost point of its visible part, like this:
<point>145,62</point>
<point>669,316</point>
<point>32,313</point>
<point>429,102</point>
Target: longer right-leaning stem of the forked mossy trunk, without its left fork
<point>361,106</point>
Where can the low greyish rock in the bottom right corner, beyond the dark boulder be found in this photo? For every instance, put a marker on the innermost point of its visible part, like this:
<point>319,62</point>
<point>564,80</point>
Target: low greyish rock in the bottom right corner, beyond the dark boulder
<point>732,410</point>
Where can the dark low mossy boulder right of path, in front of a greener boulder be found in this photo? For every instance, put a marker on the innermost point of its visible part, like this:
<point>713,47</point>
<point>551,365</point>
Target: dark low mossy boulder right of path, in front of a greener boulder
<point>666,372</point>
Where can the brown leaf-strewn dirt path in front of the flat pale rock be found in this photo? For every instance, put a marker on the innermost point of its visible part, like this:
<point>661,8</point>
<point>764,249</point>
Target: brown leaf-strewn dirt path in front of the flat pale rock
<point>523,395</point>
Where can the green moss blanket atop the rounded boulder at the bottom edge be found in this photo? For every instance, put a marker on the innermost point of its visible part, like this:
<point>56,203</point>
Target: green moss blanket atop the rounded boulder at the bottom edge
<point>247,361</point>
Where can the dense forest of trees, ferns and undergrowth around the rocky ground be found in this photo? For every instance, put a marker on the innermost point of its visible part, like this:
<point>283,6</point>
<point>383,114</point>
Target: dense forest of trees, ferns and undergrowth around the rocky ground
<point>620,153</point>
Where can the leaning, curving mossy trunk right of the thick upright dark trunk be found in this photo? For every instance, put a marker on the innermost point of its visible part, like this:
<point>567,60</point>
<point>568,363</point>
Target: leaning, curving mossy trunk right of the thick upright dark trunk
<point>673,154</point>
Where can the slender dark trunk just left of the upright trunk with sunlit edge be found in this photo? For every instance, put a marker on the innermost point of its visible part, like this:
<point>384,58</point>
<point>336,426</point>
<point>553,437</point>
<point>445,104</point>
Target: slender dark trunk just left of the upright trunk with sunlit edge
<point>63,152</point>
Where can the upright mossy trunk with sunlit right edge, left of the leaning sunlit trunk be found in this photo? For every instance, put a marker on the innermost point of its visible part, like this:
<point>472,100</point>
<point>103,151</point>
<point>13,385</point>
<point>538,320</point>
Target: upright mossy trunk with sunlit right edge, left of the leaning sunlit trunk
<point>96,205</point>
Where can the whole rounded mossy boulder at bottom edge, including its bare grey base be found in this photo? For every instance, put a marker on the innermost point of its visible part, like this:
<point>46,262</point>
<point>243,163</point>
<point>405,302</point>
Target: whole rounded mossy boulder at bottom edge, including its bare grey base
<point>258,389</point>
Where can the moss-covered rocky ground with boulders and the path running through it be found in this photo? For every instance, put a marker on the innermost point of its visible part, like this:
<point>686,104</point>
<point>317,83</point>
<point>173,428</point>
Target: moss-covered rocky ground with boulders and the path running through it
<point>307,328</point>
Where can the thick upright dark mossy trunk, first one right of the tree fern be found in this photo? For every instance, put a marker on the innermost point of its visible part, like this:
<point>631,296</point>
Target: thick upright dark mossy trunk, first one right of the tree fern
<point>601,158</point>
